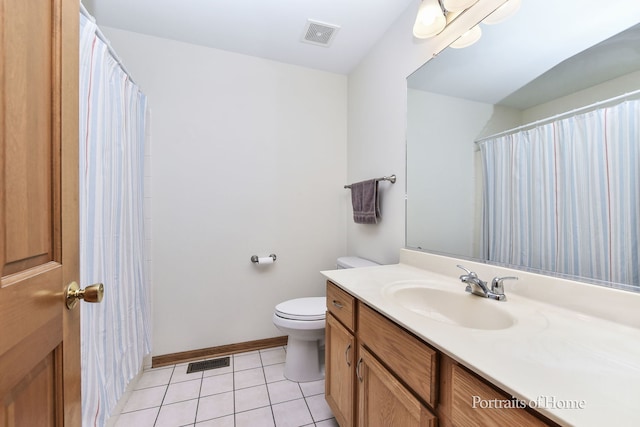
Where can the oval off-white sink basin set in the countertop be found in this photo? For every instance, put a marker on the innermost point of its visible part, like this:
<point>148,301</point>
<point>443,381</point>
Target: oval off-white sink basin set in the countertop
<point>448,306</point>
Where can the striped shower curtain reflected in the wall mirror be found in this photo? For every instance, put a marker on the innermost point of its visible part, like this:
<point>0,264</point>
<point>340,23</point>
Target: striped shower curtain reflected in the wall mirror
<point>565,196</point>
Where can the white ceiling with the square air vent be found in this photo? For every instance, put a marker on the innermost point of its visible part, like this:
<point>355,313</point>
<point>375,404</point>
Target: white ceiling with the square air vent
<point>269,29</point>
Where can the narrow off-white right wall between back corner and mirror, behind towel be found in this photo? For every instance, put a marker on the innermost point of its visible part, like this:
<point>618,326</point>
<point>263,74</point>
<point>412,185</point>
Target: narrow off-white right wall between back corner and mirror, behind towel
<point>377,122</point>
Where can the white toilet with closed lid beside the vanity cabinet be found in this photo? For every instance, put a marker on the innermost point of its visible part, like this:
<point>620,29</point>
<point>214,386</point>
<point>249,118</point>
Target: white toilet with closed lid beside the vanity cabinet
<point>303,320</point>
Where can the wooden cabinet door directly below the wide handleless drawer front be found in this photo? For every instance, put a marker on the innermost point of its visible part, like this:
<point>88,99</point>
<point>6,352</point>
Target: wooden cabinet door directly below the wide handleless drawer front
<point>383,400</point>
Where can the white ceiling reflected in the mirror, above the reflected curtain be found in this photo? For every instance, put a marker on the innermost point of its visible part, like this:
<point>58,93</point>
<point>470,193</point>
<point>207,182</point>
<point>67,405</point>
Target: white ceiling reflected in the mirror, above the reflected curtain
<point>541,35</point>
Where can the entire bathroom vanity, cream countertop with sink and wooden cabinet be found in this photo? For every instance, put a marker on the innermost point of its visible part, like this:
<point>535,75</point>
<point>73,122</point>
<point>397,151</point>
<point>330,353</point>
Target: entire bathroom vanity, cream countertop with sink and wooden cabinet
<point>406,345</point>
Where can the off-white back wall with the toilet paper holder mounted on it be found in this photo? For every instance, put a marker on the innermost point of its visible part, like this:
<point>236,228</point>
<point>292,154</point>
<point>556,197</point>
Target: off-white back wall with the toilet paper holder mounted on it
<point>249,157</point>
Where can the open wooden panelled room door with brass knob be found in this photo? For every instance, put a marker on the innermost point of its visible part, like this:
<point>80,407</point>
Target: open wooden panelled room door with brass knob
<point>39,337</point>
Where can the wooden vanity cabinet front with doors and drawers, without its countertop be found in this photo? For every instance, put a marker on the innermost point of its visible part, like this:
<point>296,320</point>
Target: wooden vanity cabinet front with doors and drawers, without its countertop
<point>379,374</point>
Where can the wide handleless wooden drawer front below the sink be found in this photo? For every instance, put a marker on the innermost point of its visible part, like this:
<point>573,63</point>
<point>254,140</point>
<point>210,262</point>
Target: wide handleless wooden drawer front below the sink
<point>413,361</point>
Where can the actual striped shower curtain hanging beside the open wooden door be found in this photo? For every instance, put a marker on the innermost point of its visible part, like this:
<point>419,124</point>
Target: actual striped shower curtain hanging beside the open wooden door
<point>115,334</point>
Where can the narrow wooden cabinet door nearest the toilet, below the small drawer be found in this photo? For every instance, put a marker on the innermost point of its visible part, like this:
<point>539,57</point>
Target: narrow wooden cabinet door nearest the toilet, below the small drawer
<point>339,371</point>
